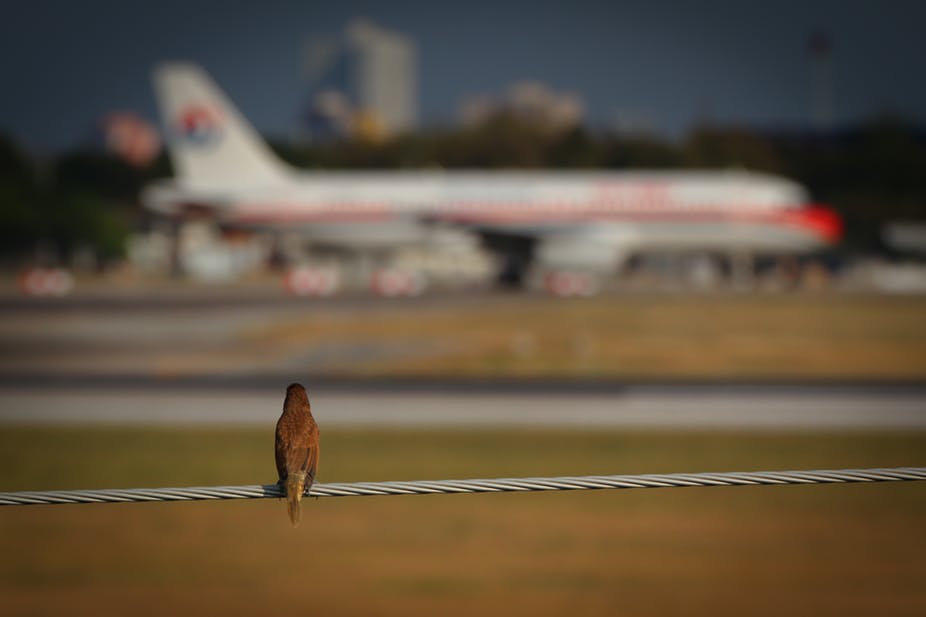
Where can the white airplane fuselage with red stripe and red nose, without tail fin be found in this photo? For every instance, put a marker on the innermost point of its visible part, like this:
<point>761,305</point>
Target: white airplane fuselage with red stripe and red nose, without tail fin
<point>683,210</point>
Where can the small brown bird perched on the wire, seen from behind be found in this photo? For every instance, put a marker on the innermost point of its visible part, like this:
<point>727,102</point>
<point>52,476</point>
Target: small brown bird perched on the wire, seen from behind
<point>296,448</point>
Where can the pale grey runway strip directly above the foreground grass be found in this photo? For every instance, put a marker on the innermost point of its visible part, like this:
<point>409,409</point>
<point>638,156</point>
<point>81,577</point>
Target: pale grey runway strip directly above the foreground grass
<point>666,407</point>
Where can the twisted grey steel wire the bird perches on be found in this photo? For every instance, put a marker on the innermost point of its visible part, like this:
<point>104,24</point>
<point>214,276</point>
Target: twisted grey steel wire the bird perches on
<point>496,485</point>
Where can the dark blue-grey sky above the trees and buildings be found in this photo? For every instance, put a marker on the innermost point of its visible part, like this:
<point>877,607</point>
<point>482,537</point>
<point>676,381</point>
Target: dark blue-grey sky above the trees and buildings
<point>667,64</point>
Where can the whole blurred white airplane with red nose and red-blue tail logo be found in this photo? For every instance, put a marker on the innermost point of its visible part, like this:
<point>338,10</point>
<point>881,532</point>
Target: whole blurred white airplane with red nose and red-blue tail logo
<point>572,227</point>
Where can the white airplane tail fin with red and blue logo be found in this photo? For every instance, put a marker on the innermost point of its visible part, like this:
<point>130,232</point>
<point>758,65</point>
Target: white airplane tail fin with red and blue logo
<point>211,144</point>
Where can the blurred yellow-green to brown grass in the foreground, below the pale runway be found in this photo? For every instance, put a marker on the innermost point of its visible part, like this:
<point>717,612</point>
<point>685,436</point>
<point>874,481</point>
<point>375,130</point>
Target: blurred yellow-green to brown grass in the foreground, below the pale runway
<point>804,550</point>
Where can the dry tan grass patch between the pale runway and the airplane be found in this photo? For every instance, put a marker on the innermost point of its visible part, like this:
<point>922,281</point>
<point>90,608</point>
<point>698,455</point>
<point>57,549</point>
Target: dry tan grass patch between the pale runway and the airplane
<point>784,336</point>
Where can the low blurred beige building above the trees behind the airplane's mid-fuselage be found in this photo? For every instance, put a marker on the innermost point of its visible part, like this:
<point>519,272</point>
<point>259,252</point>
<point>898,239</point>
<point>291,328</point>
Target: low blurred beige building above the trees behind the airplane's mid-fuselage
<point>531,100</point>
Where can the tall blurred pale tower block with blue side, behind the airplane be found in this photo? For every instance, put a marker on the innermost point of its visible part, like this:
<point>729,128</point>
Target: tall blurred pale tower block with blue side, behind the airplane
<point>365,83</point>
